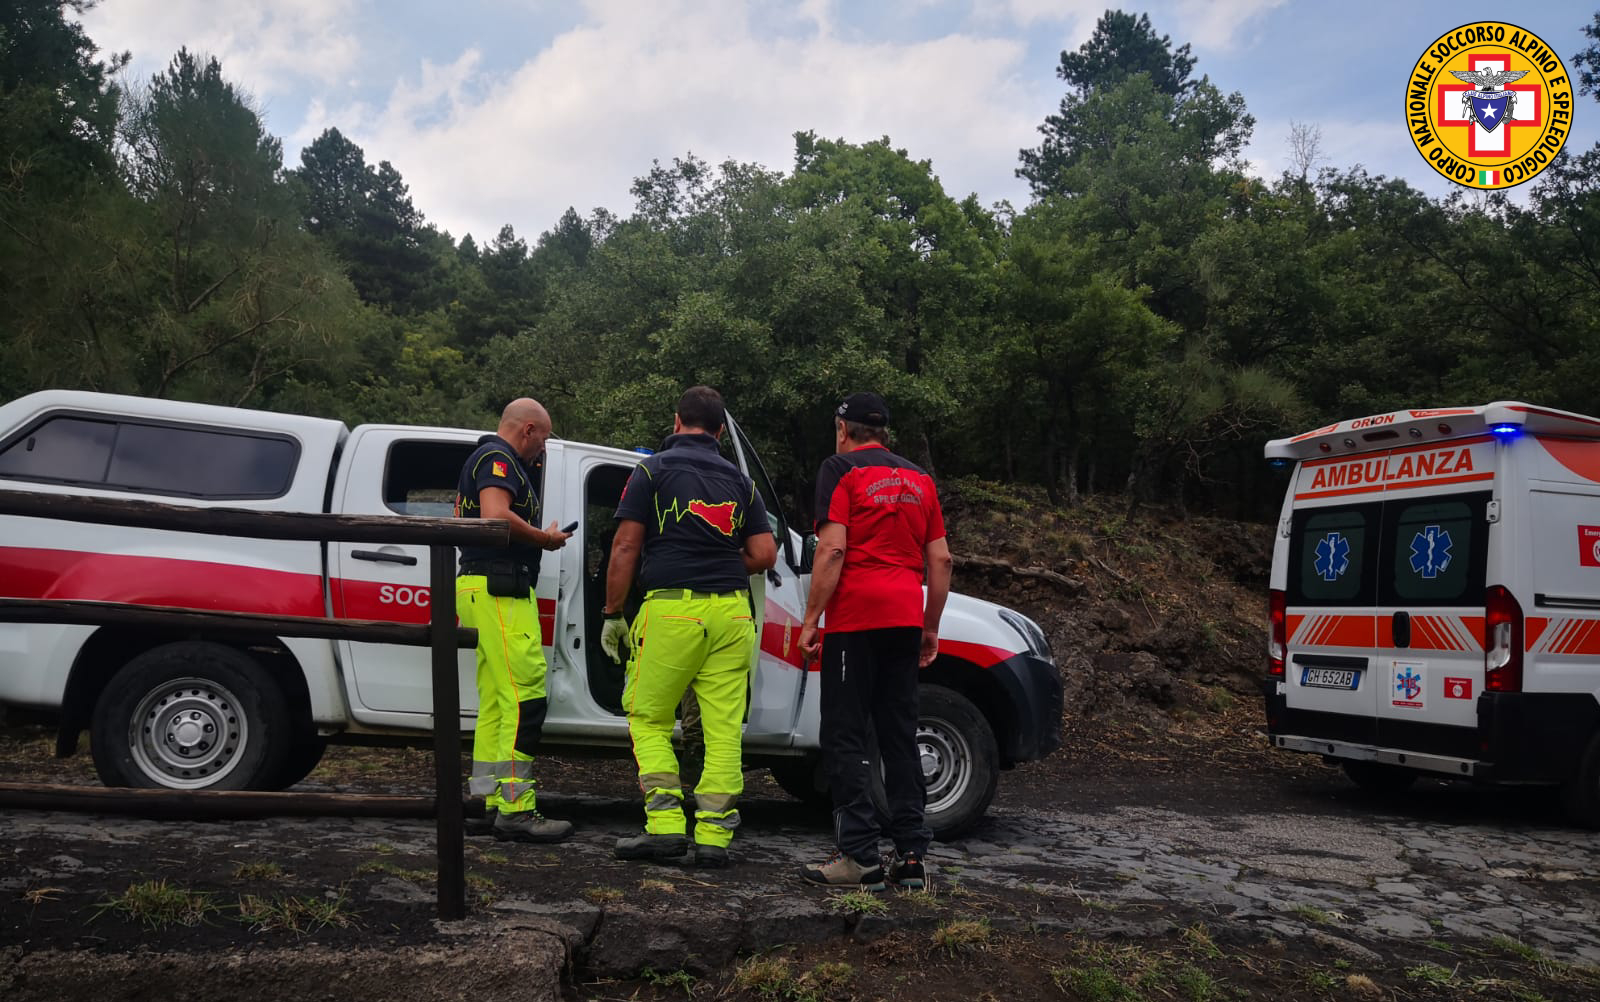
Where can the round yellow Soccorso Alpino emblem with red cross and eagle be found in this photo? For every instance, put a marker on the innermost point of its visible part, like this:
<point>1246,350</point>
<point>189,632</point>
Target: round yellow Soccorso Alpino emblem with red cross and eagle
<point>1489,105</point>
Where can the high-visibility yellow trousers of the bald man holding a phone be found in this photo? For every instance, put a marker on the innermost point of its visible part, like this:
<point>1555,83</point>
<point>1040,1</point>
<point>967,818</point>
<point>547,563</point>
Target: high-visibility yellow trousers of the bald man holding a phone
<point>511,694</point>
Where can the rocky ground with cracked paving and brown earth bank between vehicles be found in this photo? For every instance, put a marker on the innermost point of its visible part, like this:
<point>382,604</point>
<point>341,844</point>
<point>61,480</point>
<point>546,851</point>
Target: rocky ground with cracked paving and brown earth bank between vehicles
<point>1164,854</point>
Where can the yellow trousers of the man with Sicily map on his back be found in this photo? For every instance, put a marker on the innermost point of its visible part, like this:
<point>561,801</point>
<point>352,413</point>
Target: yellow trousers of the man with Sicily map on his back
<point>681,641</point>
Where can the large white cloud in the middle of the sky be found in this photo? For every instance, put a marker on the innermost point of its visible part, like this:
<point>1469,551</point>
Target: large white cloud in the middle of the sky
<point>582,119</point>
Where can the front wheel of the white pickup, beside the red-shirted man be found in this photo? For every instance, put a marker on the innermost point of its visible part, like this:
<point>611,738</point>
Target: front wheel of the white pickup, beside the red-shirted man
<point>961,763</point>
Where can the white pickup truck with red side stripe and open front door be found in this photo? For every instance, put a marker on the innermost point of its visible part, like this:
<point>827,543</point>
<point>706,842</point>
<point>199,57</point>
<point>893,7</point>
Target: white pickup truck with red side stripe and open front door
<point>190,711</point>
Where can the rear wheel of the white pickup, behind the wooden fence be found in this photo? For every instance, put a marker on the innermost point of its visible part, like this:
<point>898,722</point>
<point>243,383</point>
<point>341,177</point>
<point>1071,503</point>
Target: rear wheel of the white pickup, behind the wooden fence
<point>191,716</point>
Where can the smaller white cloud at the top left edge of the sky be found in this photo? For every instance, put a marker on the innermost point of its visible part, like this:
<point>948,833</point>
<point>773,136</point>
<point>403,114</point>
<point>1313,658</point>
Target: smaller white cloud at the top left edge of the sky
<point>266,46</point>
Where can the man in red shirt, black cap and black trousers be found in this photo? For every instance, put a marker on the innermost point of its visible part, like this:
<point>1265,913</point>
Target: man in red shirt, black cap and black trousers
<point>881,535</point>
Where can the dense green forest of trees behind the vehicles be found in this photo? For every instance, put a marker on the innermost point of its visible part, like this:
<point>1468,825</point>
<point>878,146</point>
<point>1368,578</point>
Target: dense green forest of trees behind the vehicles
<point>1138,329</point>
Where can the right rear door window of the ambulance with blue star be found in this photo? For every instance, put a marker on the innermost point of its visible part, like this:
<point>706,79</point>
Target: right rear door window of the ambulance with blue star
<point>1434,551</point>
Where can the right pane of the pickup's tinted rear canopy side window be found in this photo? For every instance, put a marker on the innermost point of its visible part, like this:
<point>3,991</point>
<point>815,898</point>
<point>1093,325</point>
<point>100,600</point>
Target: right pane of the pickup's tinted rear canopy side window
<point>201,463</point>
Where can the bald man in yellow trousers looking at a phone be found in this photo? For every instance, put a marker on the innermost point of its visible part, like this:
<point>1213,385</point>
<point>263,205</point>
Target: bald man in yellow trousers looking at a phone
<point>495,598</point>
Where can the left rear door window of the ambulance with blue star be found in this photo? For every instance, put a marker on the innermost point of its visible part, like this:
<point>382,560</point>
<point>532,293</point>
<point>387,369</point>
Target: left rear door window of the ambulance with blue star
<point>1329,559</point>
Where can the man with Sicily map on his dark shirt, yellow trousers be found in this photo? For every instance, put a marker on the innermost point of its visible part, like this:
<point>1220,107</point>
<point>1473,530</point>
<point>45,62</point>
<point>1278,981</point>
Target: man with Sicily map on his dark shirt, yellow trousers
<point>703,532</point>
